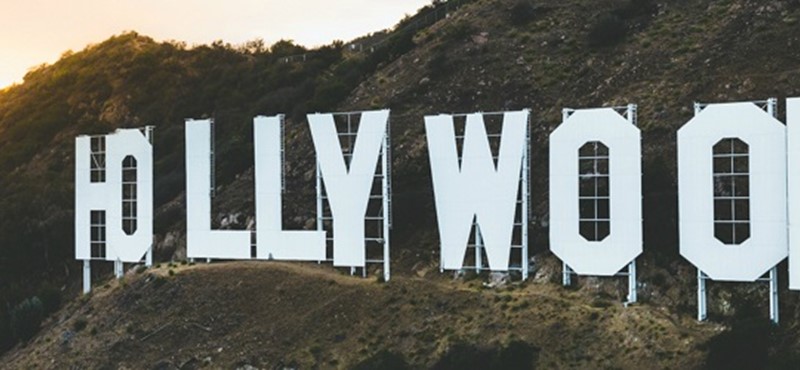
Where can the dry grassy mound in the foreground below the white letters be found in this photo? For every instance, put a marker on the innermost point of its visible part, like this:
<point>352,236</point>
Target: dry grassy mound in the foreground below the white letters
<point>275,315</point>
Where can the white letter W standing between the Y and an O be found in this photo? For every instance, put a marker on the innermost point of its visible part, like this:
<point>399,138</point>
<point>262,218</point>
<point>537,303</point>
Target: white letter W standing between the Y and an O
<point>476,188</point>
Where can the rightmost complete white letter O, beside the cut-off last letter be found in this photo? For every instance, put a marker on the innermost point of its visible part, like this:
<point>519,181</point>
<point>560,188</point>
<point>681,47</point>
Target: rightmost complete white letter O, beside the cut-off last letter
<point>732,191</point>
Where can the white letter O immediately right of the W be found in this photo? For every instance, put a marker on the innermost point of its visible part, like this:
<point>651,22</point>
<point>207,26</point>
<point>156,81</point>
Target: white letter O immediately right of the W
<point>595,192</point>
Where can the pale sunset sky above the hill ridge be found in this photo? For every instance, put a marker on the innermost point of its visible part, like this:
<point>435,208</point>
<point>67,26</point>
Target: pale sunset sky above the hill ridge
<point>33,32</point>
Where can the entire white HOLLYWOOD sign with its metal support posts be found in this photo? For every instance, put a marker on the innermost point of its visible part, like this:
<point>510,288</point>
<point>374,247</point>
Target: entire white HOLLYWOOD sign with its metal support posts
<point>738,182</point>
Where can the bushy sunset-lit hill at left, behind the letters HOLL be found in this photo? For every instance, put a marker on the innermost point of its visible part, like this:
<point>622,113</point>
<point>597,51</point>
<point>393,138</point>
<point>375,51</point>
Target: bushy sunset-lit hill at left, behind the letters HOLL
<point>130,80</point>
